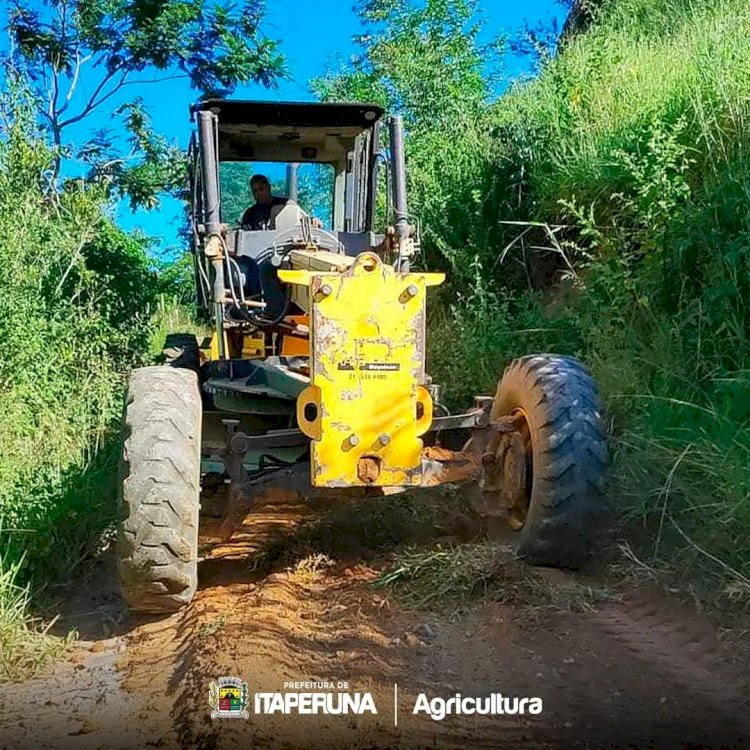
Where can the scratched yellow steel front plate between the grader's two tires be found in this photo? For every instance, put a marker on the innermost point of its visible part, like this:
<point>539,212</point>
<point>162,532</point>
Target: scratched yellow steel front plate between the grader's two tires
<point>366,406</point>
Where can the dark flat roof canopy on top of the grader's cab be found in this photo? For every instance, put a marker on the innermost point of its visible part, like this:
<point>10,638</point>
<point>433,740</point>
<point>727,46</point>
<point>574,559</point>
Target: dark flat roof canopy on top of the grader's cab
<point>290,132</point>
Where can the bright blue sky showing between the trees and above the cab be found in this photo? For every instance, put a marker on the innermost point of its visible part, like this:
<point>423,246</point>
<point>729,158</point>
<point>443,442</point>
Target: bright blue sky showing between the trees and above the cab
<point>313,36</point>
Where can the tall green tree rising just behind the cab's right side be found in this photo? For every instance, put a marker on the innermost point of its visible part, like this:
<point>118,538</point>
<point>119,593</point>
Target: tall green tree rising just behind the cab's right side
<point>429,63</point>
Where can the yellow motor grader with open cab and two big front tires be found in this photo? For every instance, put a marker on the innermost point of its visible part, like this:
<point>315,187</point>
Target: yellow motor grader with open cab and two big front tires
<point>316,366</point>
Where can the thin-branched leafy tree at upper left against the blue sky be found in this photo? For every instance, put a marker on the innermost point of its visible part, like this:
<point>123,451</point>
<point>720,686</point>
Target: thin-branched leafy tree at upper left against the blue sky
<point>119,45</point>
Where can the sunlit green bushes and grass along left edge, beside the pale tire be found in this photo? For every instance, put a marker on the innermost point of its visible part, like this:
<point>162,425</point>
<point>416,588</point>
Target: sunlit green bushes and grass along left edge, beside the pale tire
<point>74,314</point>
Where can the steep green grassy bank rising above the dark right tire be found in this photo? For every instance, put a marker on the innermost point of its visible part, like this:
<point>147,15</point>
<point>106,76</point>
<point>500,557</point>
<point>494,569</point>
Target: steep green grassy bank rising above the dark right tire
<point>637,138</point>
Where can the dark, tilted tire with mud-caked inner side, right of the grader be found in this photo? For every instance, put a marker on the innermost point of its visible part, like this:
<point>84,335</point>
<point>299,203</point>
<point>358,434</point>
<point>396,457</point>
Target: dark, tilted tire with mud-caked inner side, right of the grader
<point>568,456</point>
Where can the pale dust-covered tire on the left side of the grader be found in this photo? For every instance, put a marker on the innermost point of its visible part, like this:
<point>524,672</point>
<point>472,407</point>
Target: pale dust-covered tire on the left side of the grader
<point>160,489</point>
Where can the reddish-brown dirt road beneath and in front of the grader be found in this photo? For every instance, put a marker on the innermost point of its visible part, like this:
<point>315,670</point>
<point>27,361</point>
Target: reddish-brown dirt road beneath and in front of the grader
<point>614,667</point>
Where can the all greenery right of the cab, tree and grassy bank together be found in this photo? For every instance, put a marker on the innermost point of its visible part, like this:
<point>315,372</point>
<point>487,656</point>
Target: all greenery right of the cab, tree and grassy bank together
<point>599,209</point>
